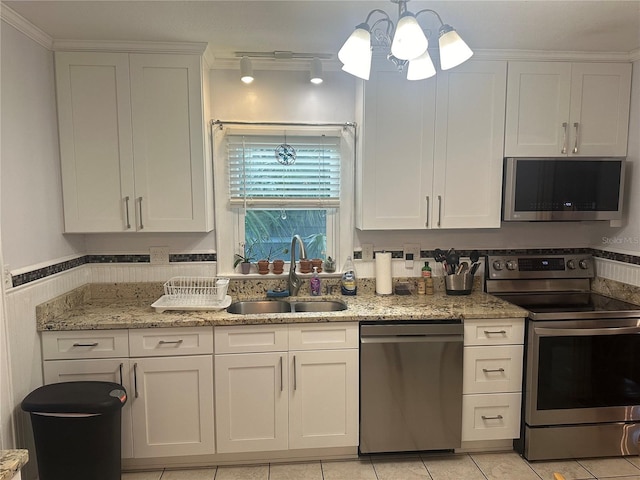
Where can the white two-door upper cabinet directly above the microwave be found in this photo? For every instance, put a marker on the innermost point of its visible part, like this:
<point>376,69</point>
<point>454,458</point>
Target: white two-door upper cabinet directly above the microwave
<point>573,109</point>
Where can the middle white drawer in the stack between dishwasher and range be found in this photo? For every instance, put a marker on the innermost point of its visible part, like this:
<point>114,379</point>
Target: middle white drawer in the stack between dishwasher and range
<point>492,369</point>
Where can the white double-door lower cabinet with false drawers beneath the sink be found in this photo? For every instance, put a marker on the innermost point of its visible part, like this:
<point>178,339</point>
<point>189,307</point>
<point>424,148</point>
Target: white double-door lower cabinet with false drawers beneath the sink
<point>286,398</point>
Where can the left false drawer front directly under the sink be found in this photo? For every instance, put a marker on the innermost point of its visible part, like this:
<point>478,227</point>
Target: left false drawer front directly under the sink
<point>251,339</point>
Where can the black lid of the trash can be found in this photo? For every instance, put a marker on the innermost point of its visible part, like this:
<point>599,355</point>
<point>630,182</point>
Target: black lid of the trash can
<point>76,397</point>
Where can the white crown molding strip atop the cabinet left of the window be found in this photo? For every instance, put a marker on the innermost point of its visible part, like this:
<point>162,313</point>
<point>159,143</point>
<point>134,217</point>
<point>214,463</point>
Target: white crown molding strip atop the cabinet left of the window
<point>197,48</point>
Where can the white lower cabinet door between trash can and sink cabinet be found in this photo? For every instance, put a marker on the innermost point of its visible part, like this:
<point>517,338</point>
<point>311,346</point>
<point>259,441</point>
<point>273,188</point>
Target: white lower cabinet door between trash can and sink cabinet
<point>172,406</point>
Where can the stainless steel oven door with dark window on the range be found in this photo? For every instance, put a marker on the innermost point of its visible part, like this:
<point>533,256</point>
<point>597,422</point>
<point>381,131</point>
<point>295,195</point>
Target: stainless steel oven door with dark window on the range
<point>583,371</point>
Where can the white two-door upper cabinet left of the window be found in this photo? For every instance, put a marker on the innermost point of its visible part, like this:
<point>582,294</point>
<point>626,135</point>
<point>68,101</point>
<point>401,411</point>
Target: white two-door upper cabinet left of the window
<point>133,142</point>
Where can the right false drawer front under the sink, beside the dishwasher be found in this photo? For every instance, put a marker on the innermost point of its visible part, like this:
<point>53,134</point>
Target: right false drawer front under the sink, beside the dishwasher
<point>323,336</point>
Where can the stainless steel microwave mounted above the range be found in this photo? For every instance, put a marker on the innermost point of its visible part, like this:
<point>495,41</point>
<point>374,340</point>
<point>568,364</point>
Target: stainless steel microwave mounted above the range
<point>563,189</point>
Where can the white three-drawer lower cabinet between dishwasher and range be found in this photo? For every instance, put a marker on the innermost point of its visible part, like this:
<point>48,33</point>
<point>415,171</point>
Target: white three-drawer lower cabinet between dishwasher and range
<point>492,379</point>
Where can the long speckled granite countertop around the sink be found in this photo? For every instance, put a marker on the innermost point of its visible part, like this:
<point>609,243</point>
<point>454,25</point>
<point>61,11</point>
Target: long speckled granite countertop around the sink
<point>87,309</point>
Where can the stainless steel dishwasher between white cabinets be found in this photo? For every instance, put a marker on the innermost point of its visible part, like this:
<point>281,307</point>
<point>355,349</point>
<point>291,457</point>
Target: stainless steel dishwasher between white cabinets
<point>410,386</point>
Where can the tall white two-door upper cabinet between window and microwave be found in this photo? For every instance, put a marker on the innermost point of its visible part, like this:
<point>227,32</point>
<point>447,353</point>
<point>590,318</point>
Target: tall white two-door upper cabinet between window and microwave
<point>431,151</point>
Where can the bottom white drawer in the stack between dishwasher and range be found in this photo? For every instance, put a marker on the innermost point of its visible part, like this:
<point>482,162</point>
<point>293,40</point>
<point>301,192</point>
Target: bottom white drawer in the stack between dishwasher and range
<point>490,417</point>
